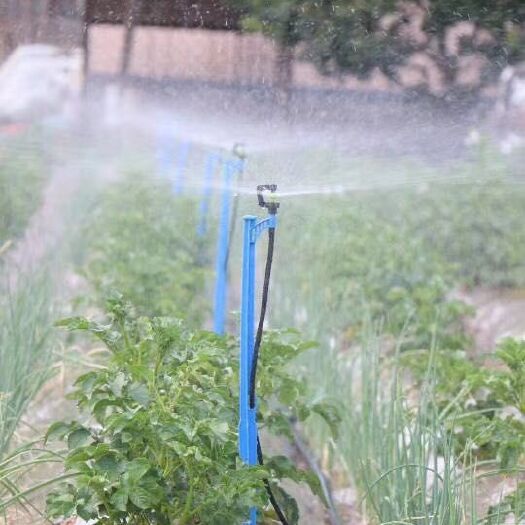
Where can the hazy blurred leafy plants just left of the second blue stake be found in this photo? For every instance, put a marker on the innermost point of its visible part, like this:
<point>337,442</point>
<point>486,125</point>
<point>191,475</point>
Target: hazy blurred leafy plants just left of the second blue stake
<point>141,242</point>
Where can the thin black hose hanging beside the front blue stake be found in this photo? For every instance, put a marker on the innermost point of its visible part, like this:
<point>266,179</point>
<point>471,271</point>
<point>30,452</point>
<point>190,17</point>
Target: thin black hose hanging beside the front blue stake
<point>255,360</point>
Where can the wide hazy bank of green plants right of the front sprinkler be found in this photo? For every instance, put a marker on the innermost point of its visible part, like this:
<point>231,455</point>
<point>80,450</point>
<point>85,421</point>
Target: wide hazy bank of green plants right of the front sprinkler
<point>397,255</point>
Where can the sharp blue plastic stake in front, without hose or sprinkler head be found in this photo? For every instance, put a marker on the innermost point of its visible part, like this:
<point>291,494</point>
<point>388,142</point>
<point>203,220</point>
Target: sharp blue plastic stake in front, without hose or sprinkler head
<point>247,415</point>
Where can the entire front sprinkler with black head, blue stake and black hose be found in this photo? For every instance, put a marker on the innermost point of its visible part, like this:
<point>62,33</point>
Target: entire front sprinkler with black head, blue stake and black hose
<point>250,449</point>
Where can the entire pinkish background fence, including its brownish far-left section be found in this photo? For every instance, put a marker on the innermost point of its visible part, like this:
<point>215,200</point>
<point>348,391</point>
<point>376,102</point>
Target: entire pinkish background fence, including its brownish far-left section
<point>216,56</point>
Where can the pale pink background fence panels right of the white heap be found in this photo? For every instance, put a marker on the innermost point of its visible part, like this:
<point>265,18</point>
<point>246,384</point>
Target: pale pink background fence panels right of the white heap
<point>223,57</point>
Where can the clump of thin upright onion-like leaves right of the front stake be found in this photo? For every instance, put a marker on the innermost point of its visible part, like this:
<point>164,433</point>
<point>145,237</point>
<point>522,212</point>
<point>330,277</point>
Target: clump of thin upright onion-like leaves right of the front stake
<point>394,445</point>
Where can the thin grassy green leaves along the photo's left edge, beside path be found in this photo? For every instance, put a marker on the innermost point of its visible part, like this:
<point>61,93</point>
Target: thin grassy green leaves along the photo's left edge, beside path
<point>26,354</point>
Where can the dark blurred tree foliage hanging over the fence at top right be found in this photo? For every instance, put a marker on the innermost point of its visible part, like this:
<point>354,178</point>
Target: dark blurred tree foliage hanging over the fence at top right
<point>357,36</point>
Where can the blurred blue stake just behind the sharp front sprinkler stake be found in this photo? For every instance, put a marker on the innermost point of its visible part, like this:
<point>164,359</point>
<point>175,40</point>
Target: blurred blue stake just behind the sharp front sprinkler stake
<point>221,269</point>
